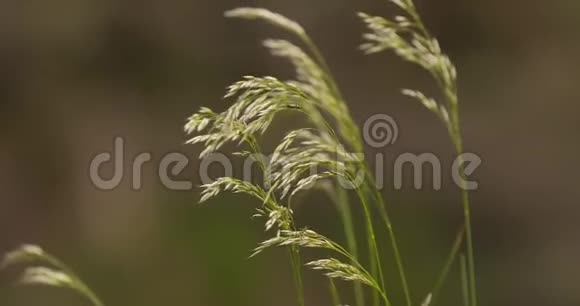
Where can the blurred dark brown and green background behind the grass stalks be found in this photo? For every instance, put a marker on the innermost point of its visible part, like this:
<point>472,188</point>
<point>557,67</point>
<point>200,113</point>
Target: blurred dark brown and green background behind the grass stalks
<point>75,74</point>
